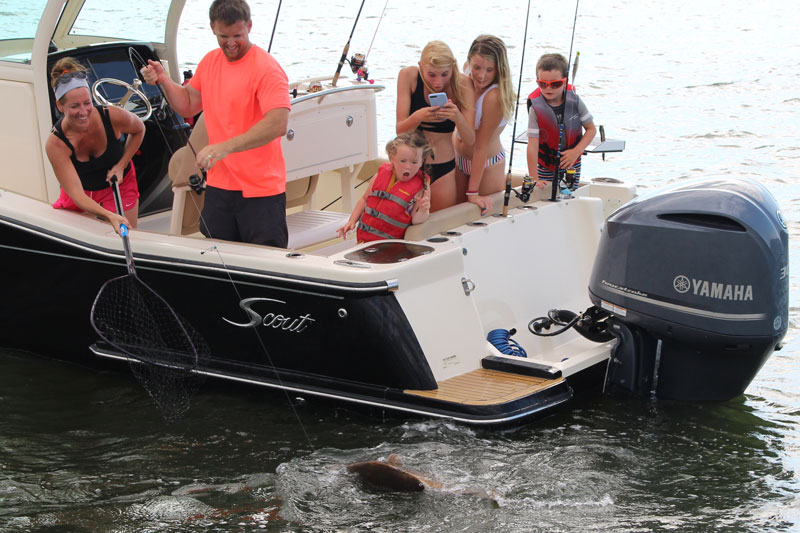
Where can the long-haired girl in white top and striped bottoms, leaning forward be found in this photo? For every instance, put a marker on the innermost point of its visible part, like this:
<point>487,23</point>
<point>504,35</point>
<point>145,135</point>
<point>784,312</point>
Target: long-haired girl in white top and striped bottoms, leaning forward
<point>480,159</point>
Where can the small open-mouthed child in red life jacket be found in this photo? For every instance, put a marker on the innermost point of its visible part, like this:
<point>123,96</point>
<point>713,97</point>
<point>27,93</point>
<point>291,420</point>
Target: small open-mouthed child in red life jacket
<point>397,196</point>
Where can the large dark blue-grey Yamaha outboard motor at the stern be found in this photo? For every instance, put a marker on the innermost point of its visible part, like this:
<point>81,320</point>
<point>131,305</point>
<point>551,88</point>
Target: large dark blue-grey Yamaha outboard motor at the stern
<point>696,281</point>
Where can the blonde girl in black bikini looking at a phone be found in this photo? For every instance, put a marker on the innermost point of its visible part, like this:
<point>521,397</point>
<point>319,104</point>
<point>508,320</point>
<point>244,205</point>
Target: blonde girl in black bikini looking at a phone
<point>436,72</point>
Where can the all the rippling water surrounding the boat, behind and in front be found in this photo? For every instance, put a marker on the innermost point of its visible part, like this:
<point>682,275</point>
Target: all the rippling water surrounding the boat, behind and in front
<point>697,89</point>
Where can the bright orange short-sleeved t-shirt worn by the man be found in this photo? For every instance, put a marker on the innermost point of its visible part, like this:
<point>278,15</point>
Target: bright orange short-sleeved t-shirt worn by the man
<point>236,95</point>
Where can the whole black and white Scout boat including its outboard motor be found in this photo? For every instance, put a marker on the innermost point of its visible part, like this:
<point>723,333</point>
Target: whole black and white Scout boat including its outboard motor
<point>687,288</point>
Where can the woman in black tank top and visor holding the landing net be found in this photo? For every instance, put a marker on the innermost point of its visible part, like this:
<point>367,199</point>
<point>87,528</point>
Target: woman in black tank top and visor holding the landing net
<point>86,147</point>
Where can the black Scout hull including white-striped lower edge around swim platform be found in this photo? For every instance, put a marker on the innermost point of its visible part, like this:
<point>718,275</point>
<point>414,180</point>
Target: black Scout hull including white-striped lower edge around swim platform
<point>315,337</point>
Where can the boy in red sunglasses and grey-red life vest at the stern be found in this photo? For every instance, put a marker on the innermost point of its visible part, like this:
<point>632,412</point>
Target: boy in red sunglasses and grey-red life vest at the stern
<point>551,105</point>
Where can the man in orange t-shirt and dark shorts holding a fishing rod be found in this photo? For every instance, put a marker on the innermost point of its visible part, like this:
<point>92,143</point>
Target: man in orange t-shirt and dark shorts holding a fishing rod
<point>244,93</point>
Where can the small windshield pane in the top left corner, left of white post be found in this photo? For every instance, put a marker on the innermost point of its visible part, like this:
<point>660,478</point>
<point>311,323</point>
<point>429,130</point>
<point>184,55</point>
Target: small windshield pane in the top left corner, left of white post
<point>18,24</point>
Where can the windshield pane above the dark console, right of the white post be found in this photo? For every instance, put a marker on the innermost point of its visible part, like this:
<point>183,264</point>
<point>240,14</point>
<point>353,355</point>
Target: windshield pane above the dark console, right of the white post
<point>130,21</point>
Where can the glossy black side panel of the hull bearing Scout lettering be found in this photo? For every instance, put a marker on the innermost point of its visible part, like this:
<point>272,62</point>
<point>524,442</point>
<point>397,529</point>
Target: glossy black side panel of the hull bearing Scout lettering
<point>253,320</point>
